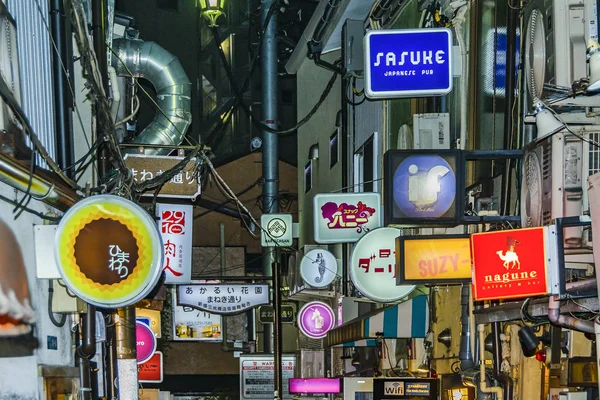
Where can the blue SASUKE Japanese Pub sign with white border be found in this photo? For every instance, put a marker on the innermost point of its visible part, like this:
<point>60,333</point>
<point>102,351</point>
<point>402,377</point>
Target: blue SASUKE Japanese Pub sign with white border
<point>408,63</point>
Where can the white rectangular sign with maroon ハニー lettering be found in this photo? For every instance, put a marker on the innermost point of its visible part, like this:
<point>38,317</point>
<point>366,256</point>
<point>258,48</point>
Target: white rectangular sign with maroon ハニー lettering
<point>345,217</point>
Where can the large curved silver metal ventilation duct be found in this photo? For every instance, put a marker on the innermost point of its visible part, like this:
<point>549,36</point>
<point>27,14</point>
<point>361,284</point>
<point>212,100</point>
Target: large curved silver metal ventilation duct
<point>173,90</point>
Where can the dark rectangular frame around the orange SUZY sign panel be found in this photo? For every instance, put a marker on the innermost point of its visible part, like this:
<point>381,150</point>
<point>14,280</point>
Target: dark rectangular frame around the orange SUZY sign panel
<point>401,260</point>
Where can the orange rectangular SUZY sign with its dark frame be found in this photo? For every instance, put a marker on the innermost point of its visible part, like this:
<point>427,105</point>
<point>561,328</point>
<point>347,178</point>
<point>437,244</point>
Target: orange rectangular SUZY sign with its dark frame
<point>433,259</point>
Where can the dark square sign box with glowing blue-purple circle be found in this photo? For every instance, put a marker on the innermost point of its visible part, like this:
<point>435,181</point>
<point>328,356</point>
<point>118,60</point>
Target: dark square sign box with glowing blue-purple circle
<point>422,187</point>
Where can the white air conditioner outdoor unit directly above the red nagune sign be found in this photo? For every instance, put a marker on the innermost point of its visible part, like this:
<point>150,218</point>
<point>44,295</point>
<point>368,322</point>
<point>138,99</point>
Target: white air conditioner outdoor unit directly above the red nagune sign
<point>552,183</point>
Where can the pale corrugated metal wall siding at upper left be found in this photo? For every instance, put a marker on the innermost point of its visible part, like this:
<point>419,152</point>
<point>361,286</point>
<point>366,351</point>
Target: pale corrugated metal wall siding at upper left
<point>35,70</point>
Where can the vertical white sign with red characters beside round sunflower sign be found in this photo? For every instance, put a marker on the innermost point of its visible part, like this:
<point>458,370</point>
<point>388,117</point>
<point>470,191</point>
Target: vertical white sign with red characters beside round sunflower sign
<point>175,226</point>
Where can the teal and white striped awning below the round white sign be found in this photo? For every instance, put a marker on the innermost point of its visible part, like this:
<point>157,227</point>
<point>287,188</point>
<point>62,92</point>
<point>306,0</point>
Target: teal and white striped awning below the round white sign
<point>409,319</point>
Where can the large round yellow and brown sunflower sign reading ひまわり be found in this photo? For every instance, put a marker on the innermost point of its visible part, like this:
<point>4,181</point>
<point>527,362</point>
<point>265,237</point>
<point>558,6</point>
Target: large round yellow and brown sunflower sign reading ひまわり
<point>109,251</point>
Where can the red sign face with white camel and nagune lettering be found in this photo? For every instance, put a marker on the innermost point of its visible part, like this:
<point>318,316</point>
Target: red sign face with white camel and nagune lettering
<point>509,264</point>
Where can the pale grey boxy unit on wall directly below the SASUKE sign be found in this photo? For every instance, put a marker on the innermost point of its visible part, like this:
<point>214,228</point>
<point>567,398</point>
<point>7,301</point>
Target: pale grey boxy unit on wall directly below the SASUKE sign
<point>431,131</point>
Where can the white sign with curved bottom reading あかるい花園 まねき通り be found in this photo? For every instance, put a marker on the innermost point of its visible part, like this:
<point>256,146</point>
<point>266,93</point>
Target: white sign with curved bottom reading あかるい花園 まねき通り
<point>223,299</point>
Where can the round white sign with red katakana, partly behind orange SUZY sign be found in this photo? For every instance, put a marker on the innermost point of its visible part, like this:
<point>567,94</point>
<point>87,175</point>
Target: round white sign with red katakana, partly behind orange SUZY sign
<point>373,266</point>
